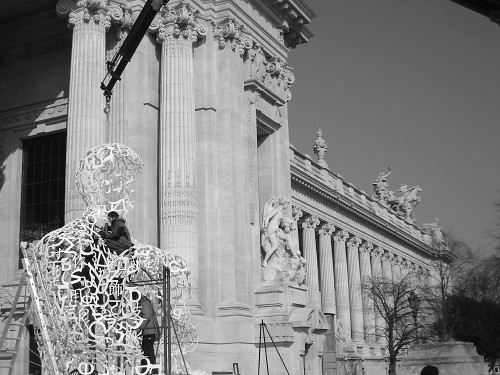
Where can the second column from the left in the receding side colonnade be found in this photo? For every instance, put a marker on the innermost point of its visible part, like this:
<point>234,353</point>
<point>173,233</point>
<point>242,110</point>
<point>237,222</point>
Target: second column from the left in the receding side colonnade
<point>327,278</point>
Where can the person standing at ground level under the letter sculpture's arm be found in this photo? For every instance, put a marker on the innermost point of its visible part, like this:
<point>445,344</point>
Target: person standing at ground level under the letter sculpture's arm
<point>149,329</point>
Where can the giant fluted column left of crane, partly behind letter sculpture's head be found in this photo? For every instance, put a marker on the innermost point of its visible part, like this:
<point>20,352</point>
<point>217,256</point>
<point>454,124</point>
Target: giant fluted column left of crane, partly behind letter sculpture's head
<point>86,127</point>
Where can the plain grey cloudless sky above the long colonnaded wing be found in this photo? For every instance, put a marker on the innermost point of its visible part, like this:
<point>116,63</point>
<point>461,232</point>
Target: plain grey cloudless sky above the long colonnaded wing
<point>411,84</point>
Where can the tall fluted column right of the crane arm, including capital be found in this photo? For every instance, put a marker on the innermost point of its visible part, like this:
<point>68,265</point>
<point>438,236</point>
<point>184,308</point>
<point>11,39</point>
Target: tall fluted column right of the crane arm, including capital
<point>177,30</point>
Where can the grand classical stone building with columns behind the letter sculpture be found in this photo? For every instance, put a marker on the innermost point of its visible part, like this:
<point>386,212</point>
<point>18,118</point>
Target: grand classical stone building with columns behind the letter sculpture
<point>270,234</point>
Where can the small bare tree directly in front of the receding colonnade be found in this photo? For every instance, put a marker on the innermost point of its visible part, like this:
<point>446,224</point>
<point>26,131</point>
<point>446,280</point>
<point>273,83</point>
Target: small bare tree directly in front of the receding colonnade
<point>390,299</point>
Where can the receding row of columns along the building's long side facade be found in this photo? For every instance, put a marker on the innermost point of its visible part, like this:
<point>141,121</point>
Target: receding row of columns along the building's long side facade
<point>335,275</point>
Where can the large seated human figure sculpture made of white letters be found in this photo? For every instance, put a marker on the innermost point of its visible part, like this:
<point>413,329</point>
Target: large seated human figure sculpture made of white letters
<point>91,294</point>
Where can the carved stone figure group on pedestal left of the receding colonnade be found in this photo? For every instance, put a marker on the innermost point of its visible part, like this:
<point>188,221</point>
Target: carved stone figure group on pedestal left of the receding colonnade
<point>282,259</point>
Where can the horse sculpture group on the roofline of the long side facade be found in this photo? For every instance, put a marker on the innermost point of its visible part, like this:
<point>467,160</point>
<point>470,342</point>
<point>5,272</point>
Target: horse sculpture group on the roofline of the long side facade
<point>402,205</point>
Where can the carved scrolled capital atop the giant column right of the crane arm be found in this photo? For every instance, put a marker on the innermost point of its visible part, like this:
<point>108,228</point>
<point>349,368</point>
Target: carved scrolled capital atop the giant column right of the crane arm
<point>178,23</point>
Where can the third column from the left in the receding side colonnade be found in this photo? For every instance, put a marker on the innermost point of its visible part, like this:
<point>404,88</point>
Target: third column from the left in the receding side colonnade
<point>341,283</point>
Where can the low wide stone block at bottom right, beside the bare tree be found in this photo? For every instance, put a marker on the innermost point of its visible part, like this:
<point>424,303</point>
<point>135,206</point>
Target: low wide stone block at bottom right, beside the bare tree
<point>457,358</point>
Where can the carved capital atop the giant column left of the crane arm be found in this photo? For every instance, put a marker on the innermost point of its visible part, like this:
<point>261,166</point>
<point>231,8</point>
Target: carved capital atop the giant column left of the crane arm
<point>85,11</point>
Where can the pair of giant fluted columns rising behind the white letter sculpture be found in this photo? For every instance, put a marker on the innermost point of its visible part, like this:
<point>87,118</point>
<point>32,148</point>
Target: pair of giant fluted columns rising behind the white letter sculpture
<point>177,31</point>
